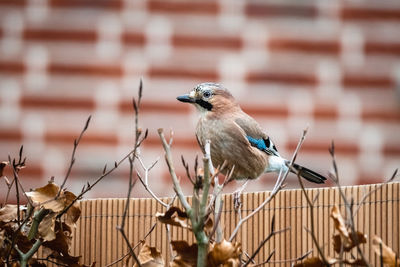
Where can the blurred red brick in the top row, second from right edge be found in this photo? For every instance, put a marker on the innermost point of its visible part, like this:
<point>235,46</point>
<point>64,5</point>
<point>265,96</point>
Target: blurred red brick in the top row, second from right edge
<point>268,10</point>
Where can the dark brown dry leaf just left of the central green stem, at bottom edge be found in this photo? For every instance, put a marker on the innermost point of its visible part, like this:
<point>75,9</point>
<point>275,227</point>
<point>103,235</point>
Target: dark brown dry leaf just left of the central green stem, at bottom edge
<point>186,254</point>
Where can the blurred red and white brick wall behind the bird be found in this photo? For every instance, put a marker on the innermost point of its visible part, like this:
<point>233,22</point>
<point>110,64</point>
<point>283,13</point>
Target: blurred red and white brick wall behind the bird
<point>333,66</point>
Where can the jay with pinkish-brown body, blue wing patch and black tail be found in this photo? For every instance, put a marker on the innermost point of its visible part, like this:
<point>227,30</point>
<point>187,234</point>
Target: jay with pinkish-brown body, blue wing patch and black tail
<point>235,137</point>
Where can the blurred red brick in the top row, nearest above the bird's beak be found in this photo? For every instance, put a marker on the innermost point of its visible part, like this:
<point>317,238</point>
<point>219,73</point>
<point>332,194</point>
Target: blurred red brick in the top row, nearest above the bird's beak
<point>184,7</point>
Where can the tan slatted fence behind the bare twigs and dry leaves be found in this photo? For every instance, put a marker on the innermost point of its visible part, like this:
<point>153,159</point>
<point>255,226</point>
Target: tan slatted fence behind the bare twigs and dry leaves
<point>97,239</point>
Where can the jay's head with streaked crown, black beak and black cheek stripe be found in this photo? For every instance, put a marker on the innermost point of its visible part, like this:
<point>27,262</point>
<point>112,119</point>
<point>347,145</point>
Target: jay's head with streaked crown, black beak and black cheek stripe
<point>209,97</point>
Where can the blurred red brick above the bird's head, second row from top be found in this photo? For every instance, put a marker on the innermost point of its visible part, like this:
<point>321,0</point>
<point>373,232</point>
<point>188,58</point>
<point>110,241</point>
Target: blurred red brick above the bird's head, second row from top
<point>204,42</point>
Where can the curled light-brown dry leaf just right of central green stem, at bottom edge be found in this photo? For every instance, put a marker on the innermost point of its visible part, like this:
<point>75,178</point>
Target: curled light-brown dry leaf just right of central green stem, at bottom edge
<point>224,253</point>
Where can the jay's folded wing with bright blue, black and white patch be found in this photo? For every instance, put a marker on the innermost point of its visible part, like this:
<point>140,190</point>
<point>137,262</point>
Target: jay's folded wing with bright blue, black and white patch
<point>255,135</point>
